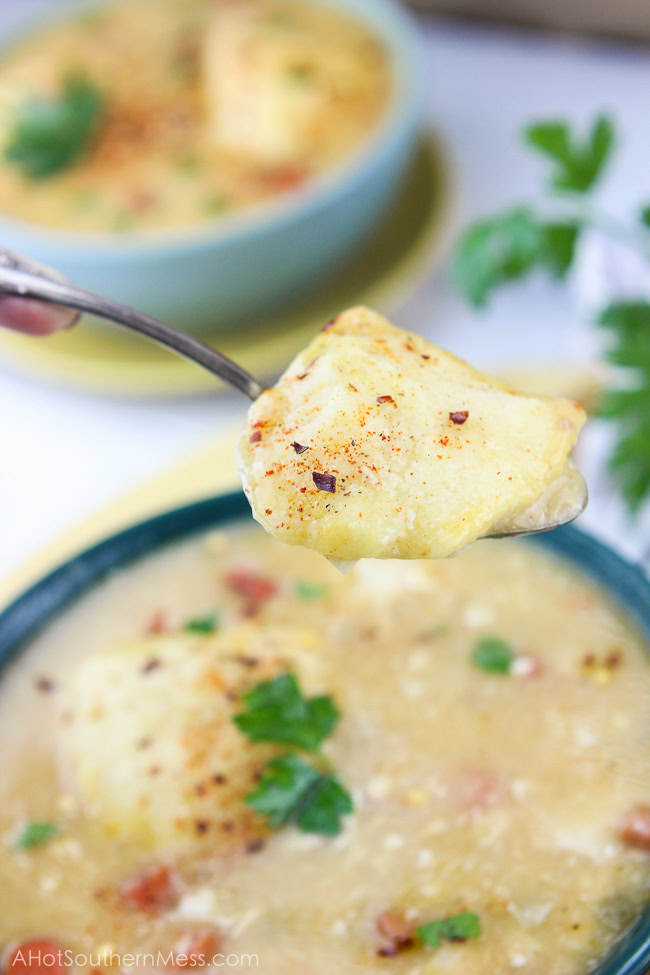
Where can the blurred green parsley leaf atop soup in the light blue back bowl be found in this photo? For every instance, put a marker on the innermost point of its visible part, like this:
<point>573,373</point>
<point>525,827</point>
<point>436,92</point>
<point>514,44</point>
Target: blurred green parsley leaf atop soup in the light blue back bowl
<point>49,135</point>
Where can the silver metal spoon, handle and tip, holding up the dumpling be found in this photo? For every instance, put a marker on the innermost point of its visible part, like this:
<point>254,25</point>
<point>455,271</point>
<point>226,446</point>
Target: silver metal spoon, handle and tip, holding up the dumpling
<point>23,278</point>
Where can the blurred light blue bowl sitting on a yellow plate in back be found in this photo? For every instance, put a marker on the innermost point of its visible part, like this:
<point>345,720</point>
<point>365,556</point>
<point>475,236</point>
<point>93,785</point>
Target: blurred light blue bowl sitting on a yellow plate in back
<point>236,267</point>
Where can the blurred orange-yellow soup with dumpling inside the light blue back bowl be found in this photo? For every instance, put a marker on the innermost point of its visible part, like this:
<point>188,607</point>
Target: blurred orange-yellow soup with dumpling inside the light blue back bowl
<point>209,106</point>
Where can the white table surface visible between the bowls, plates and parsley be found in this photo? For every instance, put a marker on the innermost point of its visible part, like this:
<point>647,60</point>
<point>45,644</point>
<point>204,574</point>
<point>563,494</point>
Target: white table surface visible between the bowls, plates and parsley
<point>65,454</point>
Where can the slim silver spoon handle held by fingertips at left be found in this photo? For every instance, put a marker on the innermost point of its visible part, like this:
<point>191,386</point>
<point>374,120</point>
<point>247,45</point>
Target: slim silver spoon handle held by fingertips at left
<point>27,284</point>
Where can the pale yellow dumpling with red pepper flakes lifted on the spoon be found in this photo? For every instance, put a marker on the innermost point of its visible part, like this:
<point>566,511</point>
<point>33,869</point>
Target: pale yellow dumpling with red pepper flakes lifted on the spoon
<point>377,444</point>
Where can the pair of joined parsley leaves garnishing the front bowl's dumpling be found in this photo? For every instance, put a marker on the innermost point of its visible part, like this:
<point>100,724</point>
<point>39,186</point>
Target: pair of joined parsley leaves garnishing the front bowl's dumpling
<point>292,789</point>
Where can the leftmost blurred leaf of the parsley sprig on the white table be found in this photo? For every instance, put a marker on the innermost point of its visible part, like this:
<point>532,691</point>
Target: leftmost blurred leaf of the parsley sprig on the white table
<point>495,250</point>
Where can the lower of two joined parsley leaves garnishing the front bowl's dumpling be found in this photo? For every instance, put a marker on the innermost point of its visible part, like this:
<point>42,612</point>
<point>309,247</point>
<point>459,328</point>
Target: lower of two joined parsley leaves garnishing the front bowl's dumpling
<point>292,790</point>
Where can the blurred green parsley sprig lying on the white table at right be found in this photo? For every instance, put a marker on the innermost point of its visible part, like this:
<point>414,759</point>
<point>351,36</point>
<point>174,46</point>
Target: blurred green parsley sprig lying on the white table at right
<point>523,239</point>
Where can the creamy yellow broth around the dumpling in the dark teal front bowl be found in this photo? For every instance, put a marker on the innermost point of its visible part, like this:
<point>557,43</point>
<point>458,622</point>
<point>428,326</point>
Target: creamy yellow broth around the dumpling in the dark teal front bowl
<point>501,794</point>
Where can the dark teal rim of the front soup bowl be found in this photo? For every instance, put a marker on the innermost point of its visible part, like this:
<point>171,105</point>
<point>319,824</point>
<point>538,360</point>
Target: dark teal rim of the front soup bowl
<point>38,606</point>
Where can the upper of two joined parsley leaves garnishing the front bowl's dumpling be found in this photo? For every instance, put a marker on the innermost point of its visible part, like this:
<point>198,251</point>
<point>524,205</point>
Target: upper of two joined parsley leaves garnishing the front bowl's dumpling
<point>278,712</point>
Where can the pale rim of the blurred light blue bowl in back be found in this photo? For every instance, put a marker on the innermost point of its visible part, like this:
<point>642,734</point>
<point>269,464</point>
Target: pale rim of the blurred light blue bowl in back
<point>395,128</point>
